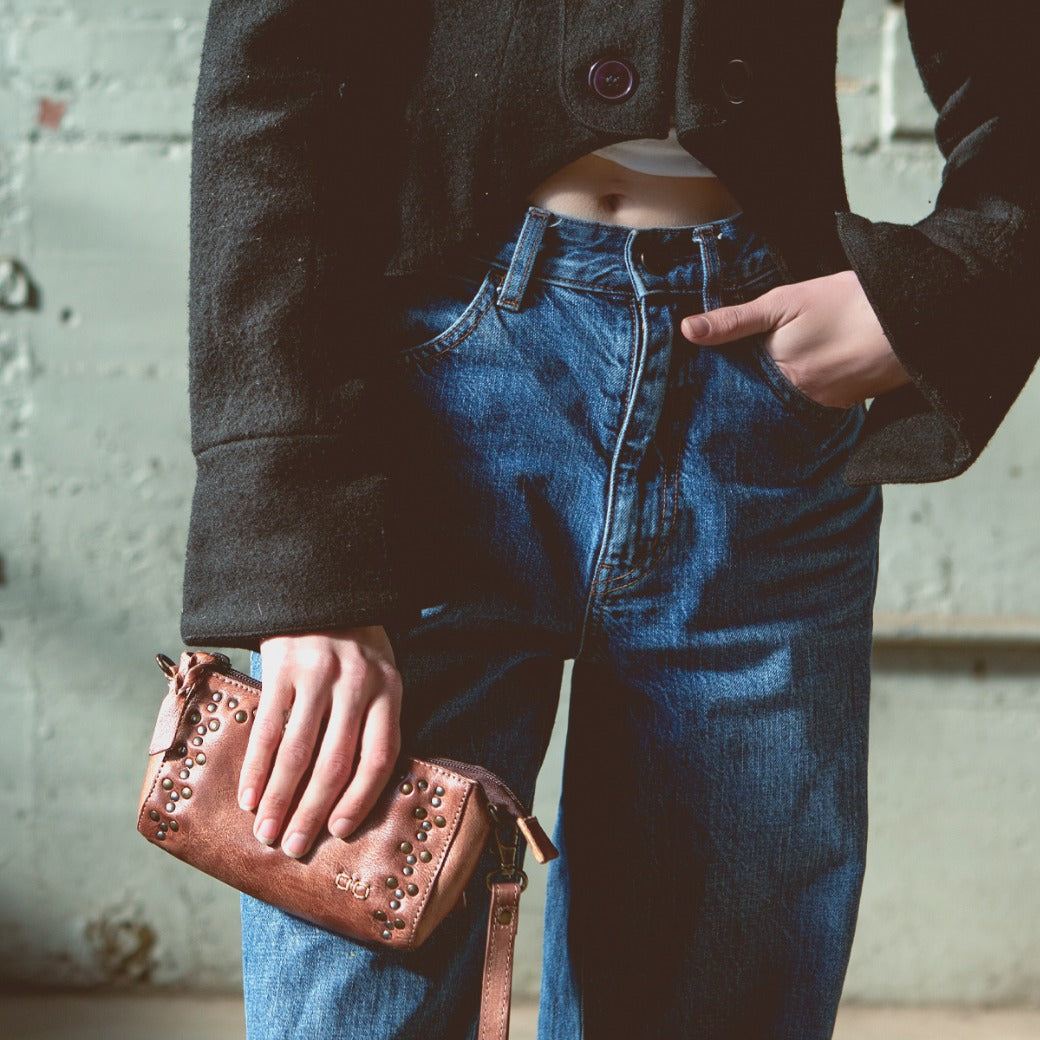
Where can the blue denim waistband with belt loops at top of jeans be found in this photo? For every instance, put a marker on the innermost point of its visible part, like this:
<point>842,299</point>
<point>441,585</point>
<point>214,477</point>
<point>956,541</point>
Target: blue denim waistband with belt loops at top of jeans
<point>617,258</point>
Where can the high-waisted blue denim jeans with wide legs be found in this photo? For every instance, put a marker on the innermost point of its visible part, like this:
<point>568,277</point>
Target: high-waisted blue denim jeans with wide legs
<point>675,519</point>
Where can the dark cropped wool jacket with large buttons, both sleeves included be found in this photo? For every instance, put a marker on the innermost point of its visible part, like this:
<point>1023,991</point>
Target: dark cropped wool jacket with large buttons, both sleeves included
<point>340,143</point>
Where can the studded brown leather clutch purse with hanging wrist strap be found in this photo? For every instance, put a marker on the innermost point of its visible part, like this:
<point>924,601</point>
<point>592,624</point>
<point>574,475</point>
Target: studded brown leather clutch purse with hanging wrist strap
<point>389,883</point>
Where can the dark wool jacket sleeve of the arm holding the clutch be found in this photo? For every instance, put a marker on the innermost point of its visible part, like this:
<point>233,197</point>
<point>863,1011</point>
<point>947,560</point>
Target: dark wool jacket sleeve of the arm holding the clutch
<point>288,531</point>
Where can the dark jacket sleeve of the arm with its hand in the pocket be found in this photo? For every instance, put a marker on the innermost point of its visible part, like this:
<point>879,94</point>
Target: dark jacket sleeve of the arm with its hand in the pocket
<point>956,293</point>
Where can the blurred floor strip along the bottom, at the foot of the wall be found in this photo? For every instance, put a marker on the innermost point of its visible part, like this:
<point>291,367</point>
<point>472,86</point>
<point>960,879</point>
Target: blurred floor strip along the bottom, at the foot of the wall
<point>184,1018</point>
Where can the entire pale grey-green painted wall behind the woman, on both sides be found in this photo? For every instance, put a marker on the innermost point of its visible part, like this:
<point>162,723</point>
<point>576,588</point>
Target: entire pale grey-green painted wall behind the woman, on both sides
<point>95,483</point>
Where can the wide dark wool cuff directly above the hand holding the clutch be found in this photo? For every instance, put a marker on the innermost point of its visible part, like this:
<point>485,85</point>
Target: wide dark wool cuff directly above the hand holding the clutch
<point>284,538</point>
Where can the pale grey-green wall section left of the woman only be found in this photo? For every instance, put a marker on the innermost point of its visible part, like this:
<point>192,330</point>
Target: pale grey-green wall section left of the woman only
<point>95,483</point>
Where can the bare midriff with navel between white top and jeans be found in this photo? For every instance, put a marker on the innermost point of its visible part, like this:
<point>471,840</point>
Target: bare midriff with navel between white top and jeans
<point>594,189</point>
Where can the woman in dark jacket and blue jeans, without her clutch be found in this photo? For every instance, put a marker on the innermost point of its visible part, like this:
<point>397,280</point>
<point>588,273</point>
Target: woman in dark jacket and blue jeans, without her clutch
<point>473,396</point>
